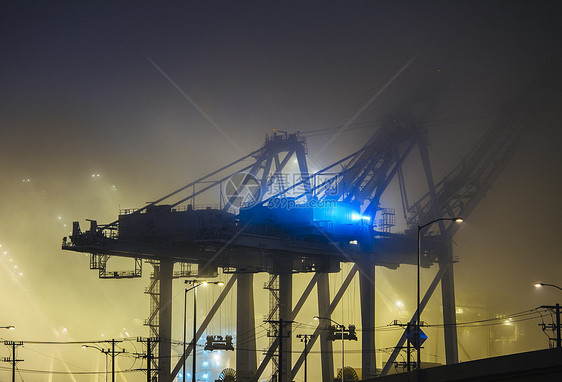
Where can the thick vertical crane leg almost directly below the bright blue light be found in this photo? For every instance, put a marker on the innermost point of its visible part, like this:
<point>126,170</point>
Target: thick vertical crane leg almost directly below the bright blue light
<point>367,290</point>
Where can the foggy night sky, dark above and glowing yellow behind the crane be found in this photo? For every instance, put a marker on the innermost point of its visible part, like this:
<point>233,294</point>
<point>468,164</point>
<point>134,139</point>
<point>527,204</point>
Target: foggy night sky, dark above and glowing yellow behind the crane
<point>95,116</point>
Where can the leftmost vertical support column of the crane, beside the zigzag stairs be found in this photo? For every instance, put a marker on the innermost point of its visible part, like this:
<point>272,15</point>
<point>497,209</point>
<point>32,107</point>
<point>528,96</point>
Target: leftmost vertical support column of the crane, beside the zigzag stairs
<point>165,319</point>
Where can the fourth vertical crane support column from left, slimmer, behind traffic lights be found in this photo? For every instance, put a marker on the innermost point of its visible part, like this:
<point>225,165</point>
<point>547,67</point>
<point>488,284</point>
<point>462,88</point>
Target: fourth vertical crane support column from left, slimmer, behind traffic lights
<point>323,287</point>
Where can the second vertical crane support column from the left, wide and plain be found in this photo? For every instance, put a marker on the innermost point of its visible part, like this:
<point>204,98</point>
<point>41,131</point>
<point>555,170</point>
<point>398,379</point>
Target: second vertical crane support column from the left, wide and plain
<point>245,328</point>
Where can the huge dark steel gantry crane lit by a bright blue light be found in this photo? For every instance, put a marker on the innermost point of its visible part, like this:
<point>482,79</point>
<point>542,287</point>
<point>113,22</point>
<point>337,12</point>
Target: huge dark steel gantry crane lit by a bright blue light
<point>249,231</point>
